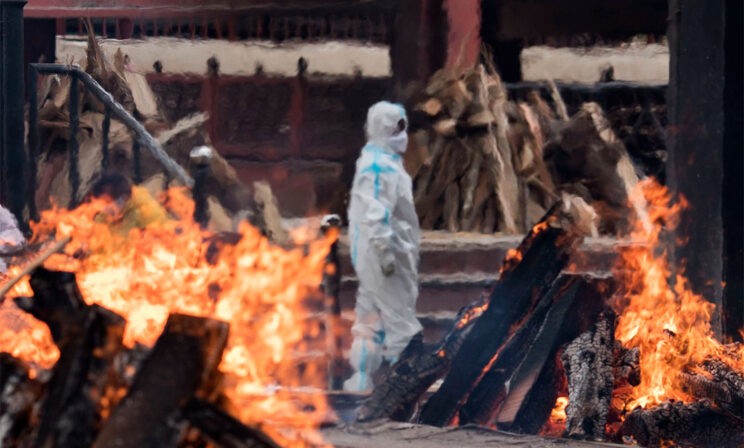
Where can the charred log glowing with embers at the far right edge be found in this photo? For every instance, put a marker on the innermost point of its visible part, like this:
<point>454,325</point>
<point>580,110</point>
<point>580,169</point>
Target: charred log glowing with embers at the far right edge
<point>719,383</point>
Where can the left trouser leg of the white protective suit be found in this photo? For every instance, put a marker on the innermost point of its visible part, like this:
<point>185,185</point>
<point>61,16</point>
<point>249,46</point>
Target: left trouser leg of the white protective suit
<point>366,349</point>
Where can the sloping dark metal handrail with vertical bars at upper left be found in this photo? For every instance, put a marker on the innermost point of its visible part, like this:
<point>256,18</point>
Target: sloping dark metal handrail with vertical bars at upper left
<point>112,109</point>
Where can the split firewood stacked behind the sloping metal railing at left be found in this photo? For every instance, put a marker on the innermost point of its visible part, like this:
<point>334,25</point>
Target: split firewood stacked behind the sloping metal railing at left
<point>229,198</point>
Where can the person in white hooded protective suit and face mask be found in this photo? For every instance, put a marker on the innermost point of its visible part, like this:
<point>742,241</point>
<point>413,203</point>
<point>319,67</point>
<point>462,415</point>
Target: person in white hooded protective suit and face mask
<point>384,237</point>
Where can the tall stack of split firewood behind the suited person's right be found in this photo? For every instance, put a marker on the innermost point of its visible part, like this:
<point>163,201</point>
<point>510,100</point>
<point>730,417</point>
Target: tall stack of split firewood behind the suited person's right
<point>483,163</point>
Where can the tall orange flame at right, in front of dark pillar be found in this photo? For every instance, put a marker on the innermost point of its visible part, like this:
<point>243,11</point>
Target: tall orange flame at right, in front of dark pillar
<point>659,314</point>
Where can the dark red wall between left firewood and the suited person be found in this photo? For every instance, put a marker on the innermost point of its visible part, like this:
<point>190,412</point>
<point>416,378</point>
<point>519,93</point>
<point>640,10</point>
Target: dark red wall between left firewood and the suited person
<point>302,135</point>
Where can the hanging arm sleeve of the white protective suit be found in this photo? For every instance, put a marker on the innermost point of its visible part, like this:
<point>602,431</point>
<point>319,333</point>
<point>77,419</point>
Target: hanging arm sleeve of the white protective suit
<point>377,191</point>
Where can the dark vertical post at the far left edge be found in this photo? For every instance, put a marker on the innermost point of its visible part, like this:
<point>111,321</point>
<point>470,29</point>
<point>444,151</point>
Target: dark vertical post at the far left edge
<point>12,151</point>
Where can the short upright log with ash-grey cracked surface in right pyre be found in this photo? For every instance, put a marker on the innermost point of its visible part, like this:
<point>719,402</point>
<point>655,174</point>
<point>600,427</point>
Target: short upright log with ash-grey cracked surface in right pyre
<point>587,362</point>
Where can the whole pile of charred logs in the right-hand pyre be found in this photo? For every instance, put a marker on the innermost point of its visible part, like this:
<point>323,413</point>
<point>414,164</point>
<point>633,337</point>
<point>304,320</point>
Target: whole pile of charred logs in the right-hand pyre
<point>539,333</point>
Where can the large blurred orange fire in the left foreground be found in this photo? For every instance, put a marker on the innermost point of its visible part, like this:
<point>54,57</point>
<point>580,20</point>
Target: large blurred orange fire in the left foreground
<point>258,288</point>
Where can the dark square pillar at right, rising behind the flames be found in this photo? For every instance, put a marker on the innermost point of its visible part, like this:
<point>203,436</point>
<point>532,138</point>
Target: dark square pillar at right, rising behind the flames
<point>696,150</point>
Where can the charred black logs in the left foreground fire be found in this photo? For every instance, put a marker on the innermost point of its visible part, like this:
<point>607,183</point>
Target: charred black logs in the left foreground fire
<point>89,401</point>
